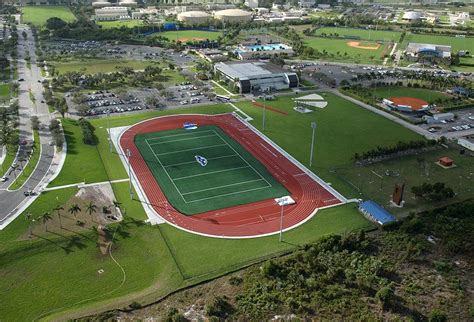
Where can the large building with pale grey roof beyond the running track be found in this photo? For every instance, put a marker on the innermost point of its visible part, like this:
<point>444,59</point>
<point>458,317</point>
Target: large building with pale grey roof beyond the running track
<point>256,76</point>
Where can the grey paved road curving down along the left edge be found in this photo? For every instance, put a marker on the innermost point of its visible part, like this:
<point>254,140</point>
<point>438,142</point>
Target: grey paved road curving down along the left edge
<point>10,201</point>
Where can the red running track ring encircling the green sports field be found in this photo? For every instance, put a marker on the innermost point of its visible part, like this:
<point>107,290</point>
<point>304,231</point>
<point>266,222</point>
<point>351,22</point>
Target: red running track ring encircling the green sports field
<point>253,219</point>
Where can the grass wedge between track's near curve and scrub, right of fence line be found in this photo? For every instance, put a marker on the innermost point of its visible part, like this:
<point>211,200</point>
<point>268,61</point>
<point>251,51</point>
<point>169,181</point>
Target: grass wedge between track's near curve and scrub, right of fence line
<point>198,255</point>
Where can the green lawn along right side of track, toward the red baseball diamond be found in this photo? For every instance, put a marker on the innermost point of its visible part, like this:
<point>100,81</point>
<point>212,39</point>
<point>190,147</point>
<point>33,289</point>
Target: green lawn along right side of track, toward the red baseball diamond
<point>343,129</point>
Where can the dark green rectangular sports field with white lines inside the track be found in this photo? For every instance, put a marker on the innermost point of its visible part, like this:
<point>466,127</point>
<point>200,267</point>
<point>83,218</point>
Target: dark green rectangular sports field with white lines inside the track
<point>231,177</point>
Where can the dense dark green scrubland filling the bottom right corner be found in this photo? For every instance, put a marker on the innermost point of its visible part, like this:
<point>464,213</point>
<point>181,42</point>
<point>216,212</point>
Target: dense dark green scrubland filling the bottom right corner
<point>416,269</point>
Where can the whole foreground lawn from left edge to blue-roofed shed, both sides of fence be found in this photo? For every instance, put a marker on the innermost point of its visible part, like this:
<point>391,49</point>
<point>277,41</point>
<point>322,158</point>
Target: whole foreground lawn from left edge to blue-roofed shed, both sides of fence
<point>156,260</point>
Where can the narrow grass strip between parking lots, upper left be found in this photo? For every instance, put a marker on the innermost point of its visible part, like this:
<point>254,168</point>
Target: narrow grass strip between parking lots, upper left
<point>94,66</point>
